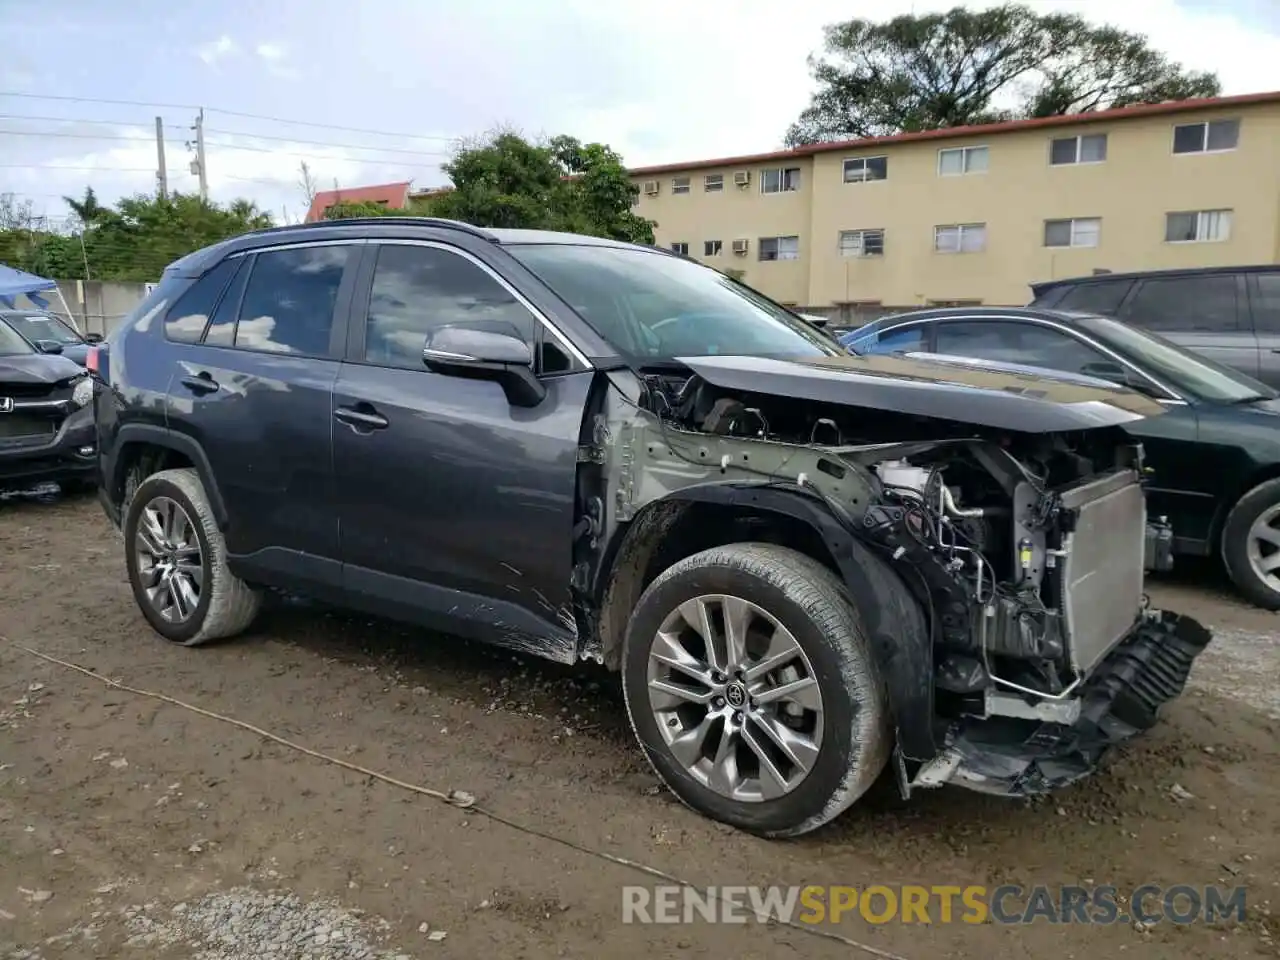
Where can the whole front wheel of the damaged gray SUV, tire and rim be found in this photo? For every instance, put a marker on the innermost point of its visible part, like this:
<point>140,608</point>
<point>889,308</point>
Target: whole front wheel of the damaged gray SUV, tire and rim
<point>751,684</point>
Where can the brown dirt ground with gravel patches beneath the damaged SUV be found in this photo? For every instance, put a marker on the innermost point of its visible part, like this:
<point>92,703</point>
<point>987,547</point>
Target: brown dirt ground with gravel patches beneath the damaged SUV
<point>131,828</point>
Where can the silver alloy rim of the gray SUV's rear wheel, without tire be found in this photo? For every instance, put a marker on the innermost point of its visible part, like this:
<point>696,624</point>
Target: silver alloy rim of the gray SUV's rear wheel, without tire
<point>171,564</point>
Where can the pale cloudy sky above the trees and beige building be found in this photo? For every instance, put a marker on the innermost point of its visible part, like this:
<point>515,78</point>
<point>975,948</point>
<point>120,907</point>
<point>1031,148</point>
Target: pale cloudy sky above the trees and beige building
<point>661,81</point>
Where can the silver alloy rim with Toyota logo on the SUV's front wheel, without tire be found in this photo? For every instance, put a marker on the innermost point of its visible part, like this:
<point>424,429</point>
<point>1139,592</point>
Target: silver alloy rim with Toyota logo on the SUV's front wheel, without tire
<point>735,698</point>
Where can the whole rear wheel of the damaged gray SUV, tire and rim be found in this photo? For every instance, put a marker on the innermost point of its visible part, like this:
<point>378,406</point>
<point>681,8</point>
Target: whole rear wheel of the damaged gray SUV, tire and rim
<point>177,563</point>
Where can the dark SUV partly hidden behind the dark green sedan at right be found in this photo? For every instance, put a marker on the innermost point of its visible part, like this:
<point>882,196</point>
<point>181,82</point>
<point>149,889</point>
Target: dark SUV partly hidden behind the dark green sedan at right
<point>1229,314</point>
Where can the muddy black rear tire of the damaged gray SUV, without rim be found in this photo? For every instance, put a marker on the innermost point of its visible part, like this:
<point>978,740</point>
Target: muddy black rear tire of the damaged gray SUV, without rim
<point>227,606</point>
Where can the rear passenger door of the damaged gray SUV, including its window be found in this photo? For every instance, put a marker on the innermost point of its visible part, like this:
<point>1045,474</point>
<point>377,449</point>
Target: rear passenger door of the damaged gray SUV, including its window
<point>255,392</point>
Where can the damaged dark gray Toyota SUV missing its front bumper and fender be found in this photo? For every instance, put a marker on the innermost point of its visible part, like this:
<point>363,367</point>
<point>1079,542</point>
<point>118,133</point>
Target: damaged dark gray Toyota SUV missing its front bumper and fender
<point>810,568</point>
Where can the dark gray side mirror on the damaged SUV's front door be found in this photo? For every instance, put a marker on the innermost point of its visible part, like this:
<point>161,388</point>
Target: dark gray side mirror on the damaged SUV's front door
<point>490,353</point>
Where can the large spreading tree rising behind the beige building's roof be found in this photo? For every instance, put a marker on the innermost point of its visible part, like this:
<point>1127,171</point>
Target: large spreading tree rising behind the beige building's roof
<point>967,67</point>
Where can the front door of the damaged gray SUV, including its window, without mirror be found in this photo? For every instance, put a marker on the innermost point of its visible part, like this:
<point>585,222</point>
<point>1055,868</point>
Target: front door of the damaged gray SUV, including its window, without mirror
<point>458,509</point>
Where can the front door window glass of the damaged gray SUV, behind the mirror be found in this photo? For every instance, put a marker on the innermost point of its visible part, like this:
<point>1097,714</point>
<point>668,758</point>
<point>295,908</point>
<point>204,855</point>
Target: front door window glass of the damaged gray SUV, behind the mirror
<point>420,289</point>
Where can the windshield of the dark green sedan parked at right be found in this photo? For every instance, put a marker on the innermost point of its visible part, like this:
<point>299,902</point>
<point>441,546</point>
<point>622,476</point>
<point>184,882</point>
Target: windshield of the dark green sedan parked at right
<point>1186,372</point>
